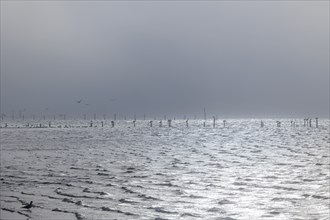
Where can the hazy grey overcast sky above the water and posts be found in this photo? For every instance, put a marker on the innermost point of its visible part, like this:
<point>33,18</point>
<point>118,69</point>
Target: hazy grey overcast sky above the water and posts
<point>235,58</point>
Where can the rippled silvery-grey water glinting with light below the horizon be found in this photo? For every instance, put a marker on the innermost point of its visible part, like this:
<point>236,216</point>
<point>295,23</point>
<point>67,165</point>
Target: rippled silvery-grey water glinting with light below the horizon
<point>240,171</point>
